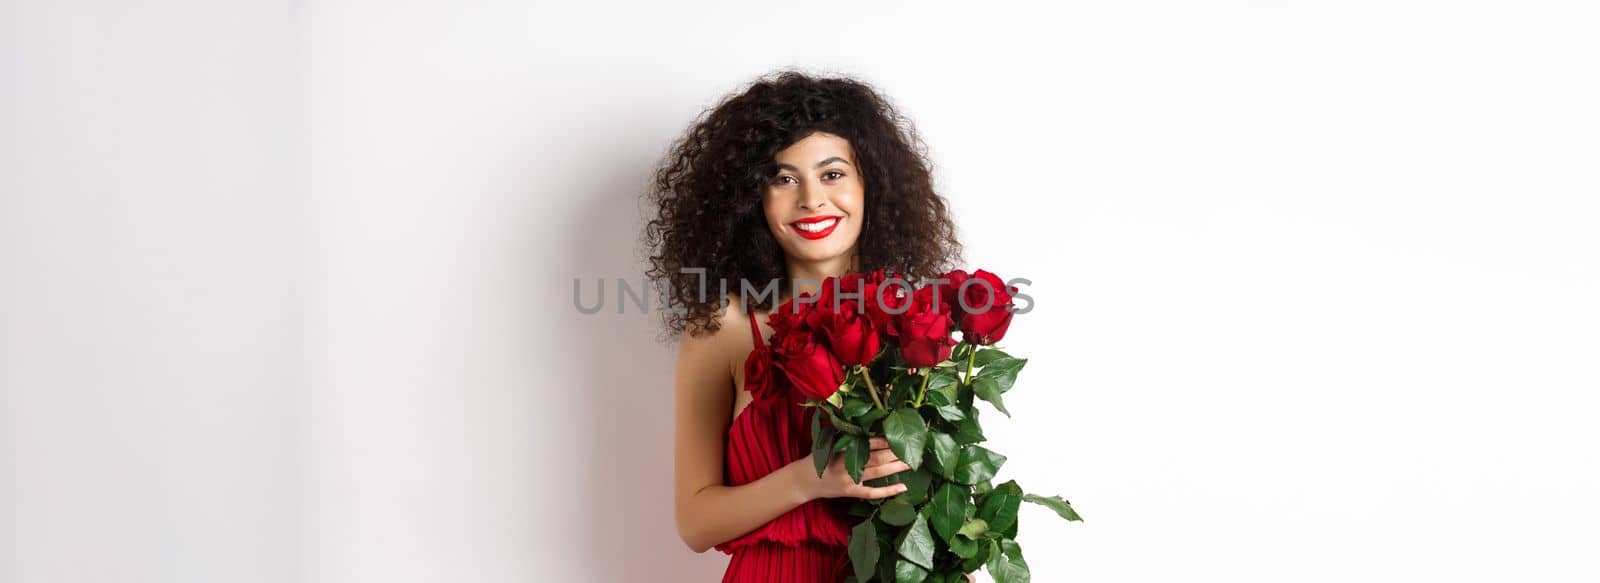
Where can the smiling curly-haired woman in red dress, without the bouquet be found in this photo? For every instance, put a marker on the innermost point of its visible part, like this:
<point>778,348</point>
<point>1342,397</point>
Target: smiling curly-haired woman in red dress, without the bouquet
<point>796,179</point>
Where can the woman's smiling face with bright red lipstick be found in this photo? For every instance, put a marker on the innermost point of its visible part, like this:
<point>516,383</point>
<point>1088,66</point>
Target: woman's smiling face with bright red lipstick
<point>815,203</point>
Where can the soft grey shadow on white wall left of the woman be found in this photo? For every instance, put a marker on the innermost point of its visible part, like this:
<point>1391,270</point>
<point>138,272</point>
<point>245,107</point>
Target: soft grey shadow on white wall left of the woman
<point>626,395</point>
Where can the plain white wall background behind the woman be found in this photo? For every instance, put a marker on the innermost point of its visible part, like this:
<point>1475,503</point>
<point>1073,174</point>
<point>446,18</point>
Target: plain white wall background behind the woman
<point>289,287</point>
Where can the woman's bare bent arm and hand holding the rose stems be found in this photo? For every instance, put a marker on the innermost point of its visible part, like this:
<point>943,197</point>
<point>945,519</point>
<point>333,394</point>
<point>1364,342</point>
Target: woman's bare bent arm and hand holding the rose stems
<point>708,512</point>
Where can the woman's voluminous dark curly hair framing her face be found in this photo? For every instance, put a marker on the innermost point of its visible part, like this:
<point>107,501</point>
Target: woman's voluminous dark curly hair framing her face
<point>708,193</point>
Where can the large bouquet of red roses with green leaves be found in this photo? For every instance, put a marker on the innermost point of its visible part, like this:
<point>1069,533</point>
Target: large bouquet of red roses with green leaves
<point>878,356</point>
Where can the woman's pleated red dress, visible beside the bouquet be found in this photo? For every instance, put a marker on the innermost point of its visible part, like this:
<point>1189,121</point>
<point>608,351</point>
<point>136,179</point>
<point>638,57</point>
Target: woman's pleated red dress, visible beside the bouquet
<point>807,544</point>
